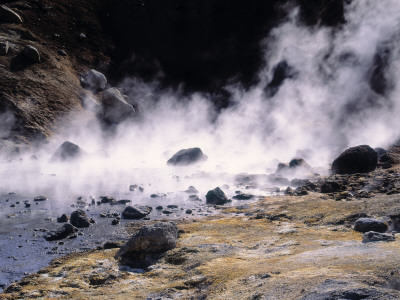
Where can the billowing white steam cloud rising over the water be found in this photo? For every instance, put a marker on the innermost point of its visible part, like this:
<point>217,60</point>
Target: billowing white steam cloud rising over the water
<point>341,91</point>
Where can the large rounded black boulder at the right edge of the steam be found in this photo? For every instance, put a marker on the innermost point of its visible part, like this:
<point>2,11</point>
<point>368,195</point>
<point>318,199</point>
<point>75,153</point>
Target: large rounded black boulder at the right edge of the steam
<point>360,159</point>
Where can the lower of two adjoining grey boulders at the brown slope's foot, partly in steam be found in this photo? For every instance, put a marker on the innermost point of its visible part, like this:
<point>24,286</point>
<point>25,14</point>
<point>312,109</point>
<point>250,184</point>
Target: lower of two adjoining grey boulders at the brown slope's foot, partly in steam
<point>115,108</point>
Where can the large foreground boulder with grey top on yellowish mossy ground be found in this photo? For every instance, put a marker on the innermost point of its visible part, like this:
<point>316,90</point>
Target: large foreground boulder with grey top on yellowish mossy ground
<point>149,244</point>
